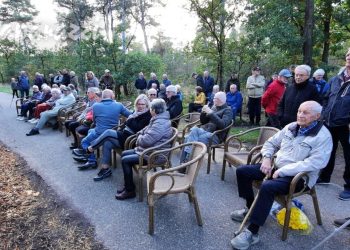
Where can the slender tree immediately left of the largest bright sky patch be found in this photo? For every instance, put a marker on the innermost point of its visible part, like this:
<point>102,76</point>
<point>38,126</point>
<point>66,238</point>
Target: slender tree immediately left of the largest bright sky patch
<point>140,12</point>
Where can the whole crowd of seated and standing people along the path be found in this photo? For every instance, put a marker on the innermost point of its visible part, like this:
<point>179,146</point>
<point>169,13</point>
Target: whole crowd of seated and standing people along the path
<point>313,115</point>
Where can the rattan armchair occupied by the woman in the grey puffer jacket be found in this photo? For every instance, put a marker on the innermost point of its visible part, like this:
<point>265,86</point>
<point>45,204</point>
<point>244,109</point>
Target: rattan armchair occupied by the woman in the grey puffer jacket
<point>141,168</point>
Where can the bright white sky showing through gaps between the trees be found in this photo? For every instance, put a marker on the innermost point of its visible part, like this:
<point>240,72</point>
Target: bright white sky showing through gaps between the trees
<point>175,22</point>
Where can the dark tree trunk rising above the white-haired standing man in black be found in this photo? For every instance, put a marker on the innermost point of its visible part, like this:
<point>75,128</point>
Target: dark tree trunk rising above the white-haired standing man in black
<point>308,30</point>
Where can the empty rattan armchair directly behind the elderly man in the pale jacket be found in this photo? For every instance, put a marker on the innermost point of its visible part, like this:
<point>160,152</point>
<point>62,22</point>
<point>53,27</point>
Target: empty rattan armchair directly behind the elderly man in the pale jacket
<point>243,153</point>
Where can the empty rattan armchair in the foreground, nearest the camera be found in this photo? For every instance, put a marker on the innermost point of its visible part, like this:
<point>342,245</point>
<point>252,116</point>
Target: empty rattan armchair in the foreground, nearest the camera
<point>170,181</point>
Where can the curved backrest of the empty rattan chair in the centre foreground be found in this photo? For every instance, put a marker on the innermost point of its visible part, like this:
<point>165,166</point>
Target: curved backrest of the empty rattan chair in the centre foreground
<point>197,155</point>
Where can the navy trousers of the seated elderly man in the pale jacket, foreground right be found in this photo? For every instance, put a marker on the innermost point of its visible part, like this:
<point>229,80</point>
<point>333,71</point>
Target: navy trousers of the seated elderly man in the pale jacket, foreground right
<point>269,188</point>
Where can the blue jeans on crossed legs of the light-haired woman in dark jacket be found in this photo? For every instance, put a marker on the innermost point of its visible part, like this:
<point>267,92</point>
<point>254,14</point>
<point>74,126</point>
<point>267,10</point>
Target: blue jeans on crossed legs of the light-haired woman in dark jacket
<point>109,140</point>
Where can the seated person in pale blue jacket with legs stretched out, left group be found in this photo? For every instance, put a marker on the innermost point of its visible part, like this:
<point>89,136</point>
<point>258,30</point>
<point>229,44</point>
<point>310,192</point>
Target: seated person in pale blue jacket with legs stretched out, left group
<point>66,100</point>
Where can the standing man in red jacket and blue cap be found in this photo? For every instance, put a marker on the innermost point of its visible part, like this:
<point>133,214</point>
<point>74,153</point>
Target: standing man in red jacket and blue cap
<point>273,95</point>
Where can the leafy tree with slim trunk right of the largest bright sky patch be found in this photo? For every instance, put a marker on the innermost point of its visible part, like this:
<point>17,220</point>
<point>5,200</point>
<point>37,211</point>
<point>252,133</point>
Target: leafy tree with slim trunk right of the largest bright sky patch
<point>216,19</point>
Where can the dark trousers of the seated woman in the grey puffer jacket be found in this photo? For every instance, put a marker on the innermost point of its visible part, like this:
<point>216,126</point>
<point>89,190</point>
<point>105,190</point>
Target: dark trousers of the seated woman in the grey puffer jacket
<point>129,159</point>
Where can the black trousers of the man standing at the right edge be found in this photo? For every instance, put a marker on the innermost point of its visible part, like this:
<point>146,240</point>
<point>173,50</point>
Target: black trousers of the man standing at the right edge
<point>341,134</point>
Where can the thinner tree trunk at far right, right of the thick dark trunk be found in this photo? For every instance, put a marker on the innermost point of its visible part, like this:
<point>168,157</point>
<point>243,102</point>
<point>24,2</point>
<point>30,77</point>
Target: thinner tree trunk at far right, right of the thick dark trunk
<point>328,11</point>
